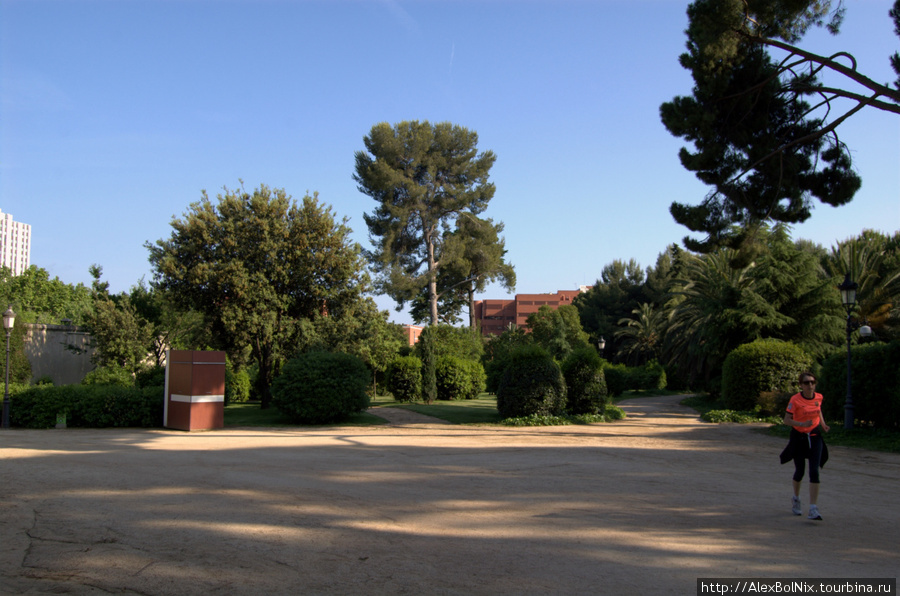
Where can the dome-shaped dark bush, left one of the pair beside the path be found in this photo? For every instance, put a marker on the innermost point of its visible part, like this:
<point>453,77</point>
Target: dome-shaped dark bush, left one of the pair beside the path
<point>532,385</point>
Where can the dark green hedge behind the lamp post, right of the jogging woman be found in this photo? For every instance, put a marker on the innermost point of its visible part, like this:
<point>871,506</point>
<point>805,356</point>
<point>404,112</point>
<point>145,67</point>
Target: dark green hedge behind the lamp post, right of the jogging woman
<point>876,384</point>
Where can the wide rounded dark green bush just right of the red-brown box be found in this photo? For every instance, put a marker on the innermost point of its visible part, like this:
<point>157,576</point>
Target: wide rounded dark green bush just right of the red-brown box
<point>321,387</point>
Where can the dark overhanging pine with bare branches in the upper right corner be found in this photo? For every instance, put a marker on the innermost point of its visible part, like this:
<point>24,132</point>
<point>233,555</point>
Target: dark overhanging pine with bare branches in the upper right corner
<point>765,150</point>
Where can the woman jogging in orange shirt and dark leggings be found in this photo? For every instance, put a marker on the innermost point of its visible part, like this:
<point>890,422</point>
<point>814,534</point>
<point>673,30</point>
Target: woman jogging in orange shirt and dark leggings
<point>804,416</point>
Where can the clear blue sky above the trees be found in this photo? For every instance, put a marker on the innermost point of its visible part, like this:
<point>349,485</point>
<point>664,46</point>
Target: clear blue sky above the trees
<point>115,115</point>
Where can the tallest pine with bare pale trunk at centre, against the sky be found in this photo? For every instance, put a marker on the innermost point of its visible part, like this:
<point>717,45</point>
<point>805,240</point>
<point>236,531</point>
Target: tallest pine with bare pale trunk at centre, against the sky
<point>423,177</point>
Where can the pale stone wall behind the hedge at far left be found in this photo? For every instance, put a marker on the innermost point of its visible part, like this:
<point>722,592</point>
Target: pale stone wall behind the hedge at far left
<point>61,352</point>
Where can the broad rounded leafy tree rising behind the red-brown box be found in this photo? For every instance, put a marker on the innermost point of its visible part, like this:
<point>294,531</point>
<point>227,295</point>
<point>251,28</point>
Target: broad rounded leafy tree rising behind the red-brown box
<point>258,265</point>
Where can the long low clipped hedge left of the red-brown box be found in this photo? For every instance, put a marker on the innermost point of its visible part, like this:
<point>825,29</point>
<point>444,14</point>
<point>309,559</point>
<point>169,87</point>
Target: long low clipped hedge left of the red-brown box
<point>88,406</point>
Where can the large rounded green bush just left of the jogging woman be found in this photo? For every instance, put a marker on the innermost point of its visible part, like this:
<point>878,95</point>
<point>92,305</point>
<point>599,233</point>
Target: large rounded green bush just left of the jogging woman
<point>765,365</point>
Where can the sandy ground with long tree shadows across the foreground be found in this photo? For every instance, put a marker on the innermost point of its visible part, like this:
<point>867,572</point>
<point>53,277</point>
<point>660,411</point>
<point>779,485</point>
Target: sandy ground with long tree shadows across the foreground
<point>642,506</point>
